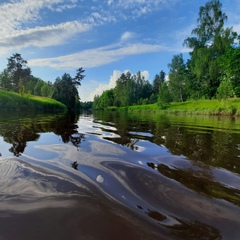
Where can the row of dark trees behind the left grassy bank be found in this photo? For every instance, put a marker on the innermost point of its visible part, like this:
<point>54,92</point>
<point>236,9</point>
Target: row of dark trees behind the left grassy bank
<point>17,77</point>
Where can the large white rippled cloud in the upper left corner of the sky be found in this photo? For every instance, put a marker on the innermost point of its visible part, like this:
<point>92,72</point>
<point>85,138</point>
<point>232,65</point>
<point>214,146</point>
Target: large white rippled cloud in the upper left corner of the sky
<point>17,15</point>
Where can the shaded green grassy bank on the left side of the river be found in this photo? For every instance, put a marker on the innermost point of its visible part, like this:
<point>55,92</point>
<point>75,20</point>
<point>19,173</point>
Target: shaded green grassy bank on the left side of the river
<point>14,101</point>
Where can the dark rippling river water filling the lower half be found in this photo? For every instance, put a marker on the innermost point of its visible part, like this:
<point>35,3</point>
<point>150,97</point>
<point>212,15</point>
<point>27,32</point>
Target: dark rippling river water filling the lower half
<point>119,176</point>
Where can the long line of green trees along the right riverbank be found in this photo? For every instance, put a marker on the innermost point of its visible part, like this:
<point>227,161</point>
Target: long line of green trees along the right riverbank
<point>212,71</point>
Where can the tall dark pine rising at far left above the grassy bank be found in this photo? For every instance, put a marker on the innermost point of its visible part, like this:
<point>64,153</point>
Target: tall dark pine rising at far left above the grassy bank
<point>17,69</point>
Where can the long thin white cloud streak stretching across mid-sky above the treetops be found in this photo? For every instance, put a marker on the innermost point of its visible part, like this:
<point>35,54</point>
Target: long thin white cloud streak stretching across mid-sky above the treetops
<point>95,57</point>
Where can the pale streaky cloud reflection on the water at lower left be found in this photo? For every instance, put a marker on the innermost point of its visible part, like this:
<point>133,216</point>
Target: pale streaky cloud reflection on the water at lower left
<point>22,183</point>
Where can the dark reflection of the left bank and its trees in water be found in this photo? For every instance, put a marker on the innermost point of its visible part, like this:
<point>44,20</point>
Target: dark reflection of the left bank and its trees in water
<point>21,130</point>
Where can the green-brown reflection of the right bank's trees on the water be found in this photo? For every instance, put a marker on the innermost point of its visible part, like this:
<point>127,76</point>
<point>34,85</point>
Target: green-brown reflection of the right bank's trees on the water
<point>197,141</point>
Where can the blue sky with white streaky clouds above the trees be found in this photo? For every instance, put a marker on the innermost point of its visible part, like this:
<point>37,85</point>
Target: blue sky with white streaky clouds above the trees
<point>104,37</point>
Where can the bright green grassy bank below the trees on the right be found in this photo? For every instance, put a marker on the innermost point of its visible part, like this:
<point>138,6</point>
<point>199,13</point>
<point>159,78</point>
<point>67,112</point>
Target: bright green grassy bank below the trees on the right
<point>228,107</point>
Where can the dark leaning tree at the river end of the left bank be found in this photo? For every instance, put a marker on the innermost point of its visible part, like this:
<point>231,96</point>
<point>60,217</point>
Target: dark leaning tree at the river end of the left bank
<point>65,89</point>
